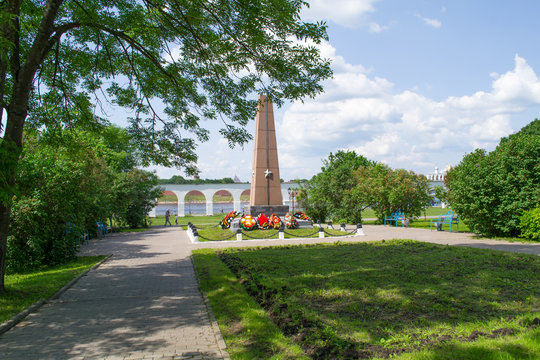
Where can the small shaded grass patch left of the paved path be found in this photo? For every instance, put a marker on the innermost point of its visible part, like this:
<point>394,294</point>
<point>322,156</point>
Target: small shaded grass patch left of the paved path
<point>22,290</point>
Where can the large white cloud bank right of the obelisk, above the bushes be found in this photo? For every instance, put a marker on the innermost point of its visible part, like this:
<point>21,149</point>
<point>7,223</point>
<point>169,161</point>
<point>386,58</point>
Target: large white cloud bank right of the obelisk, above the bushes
<point>404,129</point>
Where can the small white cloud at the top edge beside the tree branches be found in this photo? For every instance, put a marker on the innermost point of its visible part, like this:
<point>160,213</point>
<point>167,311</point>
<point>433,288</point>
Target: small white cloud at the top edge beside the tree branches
<point>347,13</point>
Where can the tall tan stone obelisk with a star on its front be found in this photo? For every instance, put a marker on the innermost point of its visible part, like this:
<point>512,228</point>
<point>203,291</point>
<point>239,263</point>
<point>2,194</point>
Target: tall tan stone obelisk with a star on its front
<point>265,194</point>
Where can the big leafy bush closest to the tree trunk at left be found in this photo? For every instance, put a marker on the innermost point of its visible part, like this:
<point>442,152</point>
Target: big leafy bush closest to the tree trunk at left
<point>56,185</point>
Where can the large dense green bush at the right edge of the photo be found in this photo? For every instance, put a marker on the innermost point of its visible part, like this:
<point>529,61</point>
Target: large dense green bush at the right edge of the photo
<point>491,191</point>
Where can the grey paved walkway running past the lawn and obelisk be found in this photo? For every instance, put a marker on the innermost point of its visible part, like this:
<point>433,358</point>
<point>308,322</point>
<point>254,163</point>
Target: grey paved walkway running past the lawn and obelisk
<point>144,301</point>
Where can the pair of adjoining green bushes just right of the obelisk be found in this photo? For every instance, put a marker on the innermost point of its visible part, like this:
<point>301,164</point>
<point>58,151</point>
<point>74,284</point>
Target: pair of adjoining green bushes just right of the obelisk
<point>349,184</point>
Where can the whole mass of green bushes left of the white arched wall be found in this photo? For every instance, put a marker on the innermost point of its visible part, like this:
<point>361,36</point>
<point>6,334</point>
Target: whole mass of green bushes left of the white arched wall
<point>77,178</point>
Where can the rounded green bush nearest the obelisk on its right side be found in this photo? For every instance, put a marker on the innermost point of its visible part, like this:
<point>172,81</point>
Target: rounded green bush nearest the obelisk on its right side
<point>327,192</point>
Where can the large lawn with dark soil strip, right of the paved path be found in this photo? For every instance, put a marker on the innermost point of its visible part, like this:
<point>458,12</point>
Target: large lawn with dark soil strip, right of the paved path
<point>400,298</point>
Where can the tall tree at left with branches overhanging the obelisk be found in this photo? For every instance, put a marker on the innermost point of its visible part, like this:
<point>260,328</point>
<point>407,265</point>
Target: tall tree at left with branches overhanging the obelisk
<point>202,59</point>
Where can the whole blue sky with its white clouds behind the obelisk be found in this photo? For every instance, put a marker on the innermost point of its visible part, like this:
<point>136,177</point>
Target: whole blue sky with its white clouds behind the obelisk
<point>417,84</point>
